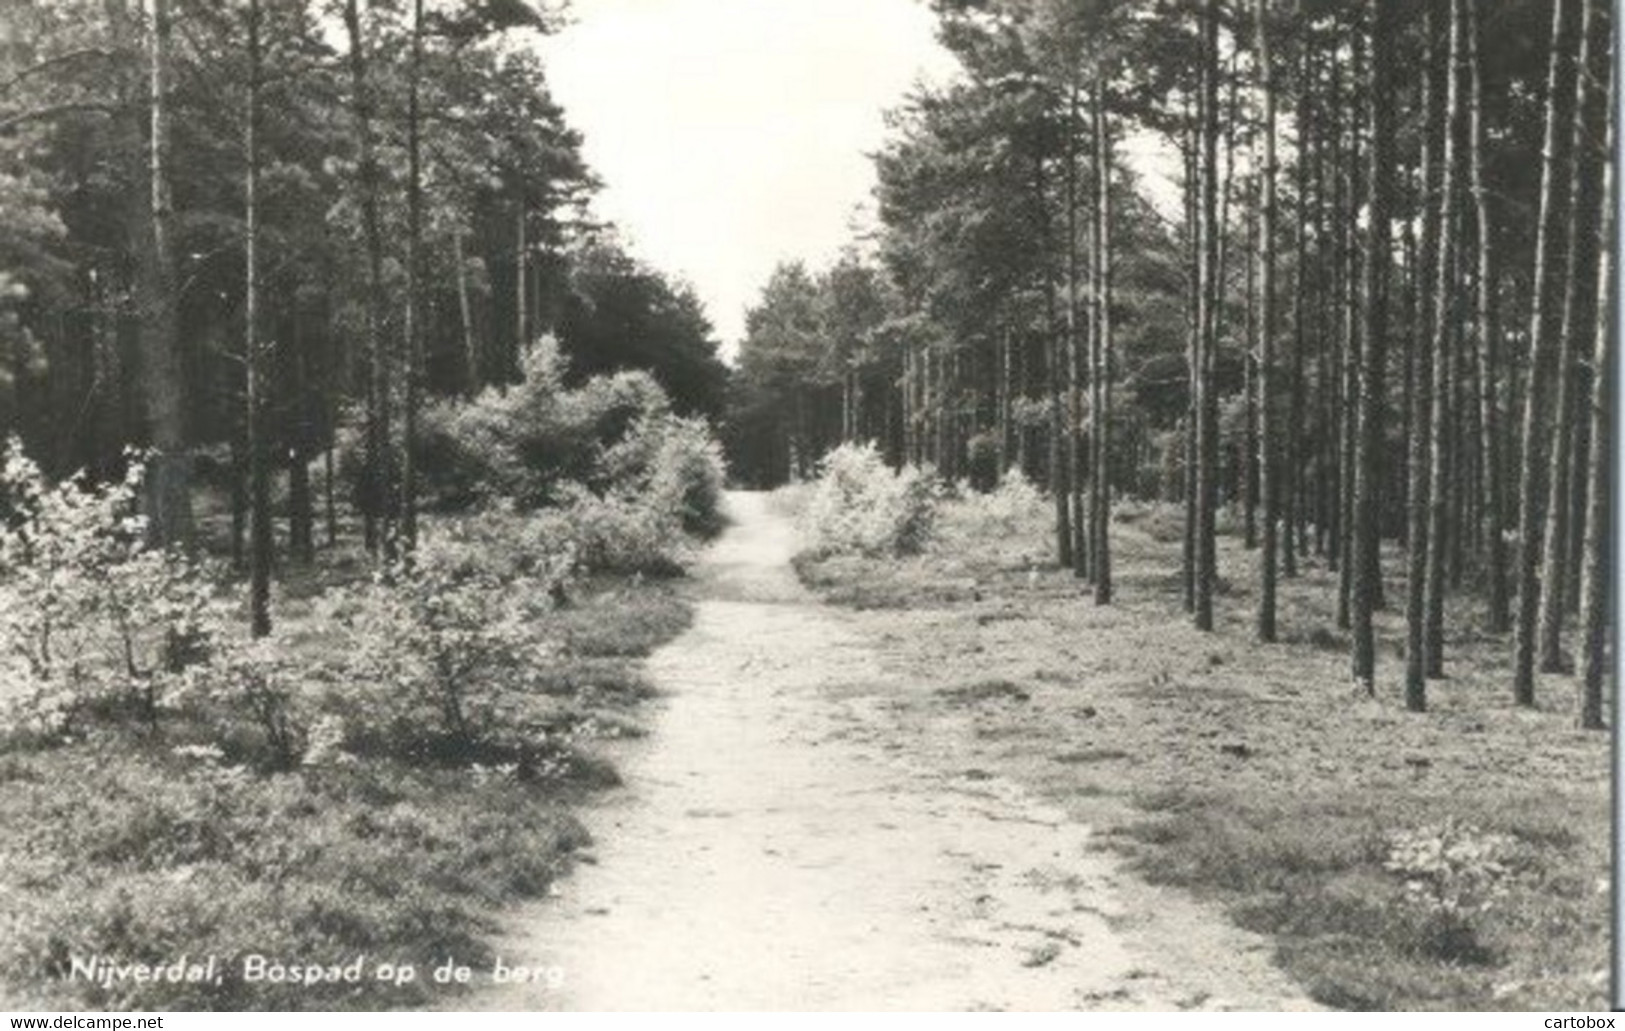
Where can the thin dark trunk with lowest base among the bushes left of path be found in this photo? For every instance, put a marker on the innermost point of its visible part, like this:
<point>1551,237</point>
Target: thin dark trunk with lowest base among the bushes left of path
<point>254,360</point>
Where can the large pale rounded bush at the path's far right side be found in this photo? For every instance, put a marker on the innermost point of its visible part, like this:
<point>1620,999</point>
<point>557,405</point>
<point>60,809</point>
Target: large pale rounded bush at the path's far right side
<point>862,505</point>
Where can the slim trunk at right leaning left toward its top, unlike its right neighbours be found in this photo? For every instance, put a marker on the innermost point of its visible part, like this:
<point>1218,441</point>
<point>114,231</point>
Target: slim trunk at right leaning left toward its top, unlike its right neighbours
<point>1489,347</point>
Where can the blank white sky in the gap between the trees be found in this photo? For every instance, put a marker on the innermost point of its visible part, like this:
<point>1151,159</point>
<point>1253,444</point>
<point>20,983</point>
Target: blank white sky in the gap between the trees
<point>734,134</point>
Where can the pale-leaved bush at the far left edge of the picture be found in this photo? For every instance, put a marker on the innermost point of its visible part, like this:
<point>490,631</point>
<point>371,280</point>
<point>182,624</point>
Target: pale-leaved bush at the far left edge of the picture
<point>89,612</point>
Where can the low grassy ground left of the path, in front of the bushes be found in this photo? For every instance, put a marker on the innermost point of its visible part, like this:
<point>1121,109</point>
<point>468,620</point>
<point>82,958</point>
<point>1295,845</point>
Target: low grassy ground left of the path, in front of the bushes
<point>132,846</point>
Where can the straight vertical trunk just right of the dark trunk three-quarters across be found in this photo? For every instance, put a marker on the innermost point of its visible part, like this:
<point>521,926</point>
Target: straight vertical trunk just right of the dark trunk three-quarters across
<point>1267,337</point>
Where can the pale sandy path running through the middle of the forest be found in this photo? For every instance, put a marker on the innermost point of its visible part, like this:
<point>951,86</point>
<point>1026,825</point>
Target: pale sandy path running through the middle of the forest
<point>782,843</point>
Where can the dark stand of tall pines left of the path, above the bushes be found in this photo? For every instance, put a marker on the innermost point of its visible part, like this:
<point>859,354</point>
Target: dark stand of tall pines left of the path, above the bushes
<point>412,199</point>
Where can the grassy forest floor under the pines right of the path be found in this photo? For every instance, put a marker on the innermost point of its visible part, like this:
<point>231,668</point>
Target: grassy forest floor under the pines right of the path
<point>1457,859</point>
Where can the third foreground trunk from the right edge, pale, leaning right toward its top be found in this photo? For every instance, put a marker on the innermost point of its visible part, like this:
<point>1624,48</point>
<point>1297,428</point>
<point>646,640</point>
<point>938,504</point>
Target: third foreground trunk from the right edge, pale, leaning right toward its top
<point>1535,437</point>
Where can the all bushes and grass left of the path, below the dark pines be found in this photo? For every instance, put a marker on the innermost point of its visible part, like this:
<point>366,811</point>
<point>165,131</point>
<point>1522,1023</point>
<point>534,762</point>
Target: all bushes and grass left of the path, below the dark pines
<point>375,777</point>
